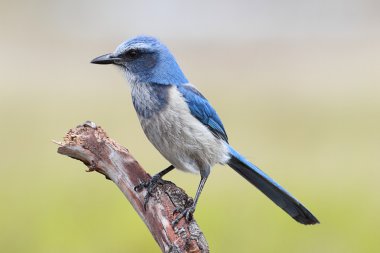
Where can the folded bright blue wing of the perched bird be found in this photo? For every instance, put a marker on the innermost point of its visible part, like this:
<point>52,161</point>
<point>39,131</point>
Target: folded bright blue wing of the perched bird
<point>201,109</point>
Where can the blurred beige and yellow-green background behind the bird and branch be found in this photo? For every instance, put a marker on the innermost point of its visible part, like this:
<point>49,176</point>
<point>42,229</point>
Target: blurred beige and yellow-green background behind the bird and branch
<point>297,84</point>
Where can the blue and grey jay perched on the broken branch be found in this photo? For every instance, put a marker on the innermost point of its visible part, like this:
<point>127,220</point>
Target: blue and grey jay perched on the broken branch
<point>183,126</point>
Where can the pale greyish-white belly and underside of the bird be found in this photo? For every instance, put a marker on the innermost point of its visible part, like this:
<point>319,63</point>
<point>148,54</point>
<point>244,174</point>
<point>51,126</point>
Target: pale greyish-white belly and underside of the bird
<point>181,138</point>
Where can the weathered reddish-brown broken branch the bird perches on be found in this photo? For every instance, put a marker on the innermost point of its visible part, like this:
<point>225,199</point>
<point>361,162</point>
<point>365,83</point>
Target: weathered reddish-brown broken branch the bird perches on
<point>91,145</point>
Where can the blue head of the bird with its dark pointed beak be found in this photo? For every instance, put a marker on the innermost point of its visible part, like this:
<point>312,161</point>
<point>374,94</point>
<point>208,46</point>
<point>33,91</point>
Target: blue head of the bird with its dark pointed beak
<point>145,60</point>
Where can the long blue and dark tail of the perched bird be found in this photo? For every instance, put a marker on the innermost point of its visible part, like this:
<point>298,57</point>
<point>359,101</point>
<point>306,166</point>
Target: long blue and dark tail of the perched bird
<point>270,188</point>
